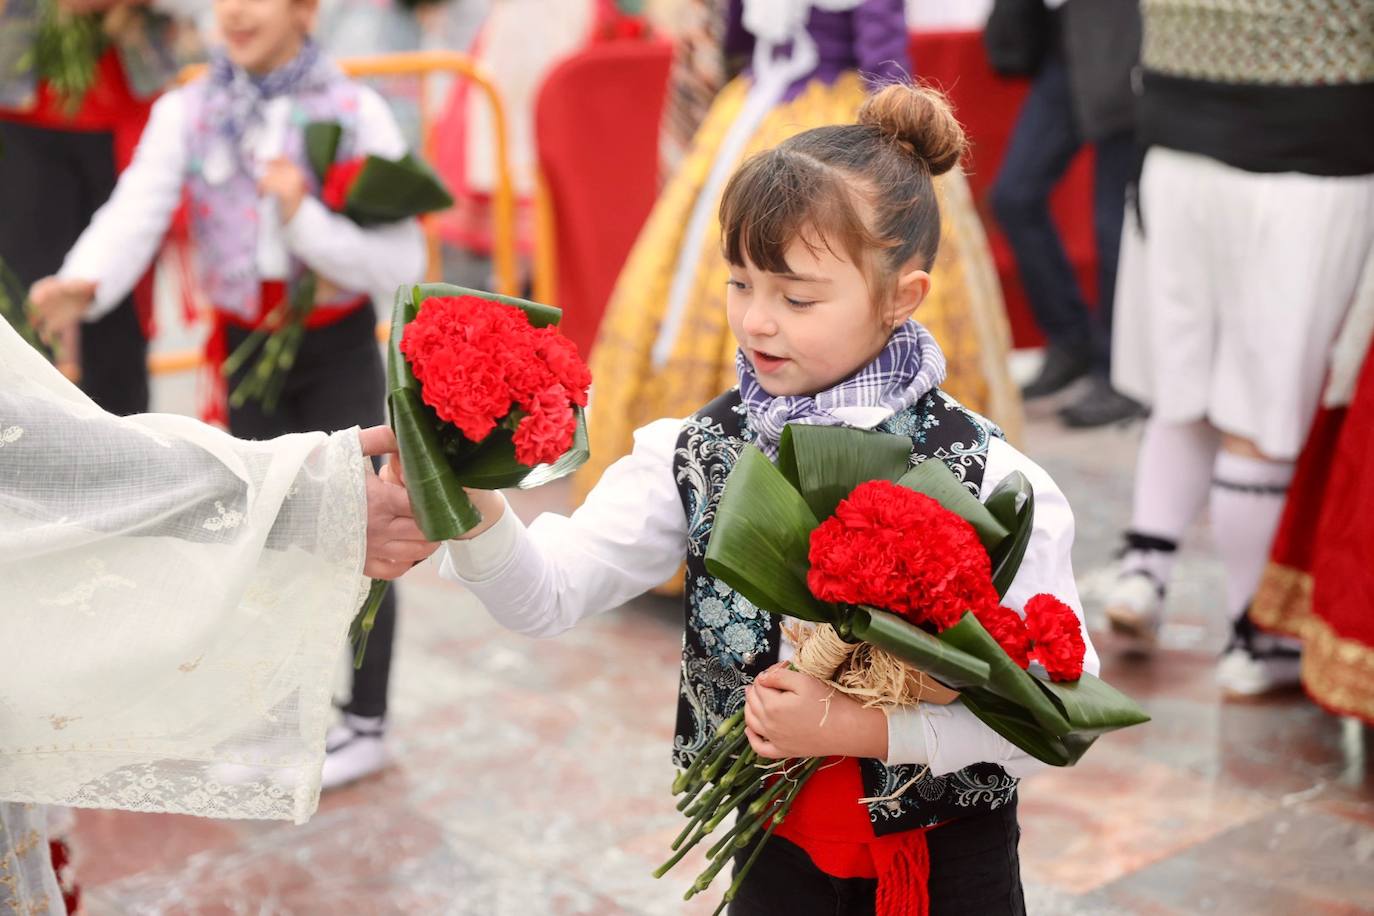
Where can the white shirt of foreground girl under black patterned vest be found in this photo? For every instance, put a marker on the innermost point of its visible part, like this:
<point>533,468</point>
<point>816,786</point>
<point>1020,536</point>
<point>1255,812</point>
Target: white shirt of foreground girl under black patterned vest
<point>631,536</point>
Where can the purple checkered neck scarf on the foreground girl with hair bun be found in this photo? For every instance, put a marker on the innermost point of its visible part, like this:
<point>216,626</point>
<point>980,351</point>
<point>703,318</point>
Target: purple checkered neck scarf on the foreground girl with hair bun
<point>908,369</point>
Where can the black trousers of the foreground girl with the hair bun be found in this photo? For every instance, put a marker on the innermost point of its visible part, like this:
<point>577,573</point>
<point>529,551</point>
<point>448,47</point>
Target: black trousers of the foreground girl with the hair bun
<point>975,871</point>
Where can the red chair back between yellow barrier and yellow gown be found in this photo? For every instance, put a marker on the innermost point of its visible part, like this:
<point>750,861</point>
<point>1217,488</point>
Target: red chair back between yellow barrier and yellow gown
<point>597,126</point>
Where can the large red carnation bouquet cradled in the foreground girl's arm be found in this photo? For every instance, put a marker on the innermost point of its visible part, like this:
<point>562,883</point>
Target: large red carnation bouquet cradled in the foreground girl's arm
<point>901,573</point>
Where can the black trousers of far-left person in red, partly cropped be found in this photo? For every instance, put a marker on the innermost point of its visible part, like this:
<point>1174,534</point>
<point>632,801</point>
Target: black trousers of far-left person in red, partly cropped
<point>52,185</point>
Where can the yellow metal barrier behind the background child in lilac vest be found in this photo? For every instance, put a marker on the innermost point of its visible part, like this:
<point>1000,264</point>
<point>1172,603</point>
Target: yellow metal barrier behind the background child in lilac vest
<point>423,65</point>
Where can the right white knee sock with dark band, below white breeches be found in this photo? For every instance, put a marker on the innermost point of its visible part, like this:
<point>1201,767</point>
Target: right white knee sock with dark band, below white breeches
<point>1248,498</point>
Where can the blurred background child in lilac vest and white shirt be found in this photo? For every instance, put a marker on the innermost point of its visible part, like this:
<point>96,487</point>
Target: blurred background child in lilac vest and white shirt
<point>234,144</point>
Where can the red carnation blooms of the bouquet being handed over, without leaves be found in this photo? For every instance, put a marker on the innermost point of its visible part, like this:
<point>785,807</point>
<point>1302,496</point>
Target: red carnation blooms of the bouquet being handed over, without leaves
<point>483,365</point>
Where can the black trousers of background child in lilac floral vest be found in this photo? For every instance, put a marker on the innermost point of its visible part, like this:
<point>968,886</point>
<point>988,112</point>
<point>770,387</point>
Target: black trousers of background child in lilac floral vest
<point>336,384</point>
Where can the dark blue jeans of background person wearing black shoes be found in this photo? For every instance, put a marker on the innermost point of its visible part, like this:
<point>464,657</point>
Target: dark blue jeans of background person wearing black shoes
<point>1044,144</point>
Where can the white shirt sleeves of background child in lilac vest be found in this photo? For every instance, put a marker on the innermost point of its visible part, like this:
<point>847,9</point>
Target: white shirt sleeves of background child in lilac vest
<point>127,233</point>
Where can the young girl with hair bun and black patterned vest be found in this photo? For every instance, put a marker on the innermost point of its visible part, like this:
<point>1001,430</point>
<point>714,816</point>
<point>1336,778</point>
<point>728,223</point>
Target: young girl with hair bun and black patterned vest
<point>829,240</point>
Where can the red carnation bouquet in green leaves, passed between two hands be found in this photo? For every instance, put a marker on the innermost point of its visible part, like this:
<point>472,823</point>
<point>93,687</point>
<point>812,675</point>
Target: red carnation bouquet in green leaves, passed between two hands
<point>483,392</point>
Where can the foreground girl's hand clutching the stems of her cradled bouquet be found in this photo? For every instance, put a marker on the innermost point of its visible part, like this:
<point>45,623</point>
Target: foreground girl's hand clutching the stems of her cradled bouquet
<point>785,716</point>
